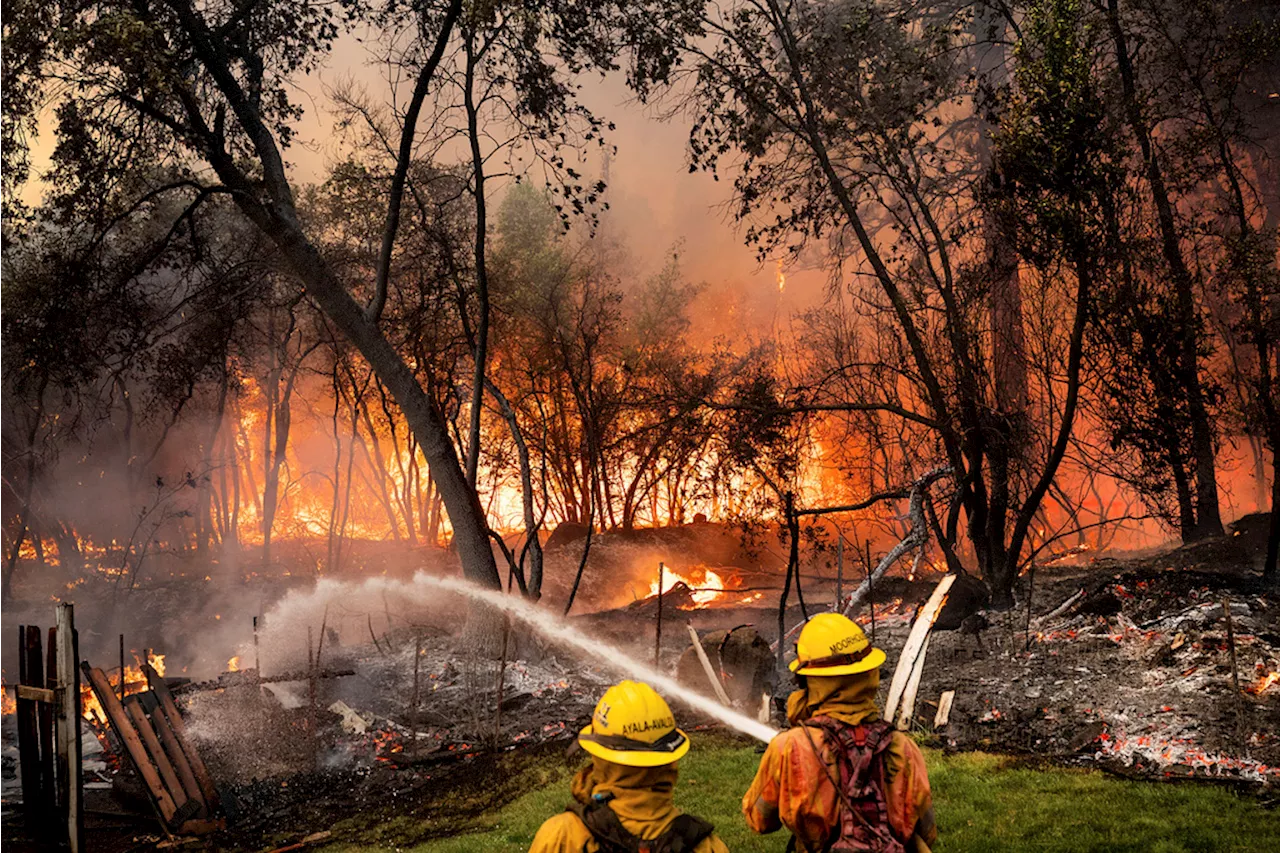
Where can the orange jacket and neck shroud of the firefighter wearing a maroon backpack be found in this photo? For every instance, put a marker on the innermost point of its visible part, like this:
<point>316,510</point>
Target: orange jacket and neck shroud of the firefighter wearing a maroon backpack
<point>793,790</point>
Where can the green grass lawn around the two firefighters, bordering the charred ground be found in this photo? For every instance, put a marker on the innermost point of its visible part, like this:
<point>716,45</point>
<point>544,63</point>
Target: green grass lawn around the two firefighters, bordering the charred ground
<point>984,804</point>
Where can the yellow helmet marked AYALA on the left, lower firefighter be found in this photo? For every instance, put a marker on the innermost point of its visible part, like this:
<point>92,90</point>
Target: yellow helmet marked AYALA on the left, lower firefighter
<point>634,727</point>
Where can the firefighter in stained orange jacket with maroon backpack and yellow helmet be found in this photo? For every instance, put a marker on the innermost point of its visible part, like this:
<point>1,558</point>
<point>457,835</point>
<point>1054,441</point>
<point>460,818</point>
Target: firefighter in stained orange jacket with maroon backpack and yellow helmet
<point>840,778</point>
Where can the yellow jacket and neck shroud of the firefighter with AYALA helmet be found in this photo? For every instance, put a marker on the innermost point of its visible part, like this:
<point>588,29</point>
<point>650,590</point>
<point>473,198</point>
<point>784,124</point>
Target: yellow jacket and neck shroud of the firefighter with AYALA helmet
<point>643,800</point>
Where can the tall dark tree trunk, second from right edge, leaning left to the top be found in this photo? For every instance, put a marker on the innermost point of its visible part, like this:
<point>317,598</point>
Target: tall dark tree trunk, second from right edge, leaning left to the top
<point>1209,521</point>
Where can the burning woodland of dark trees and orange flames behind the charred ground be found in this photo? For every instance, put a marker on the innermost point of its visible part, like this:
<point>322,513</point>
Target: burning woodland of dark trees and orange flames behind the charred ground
<point>1050,230</point>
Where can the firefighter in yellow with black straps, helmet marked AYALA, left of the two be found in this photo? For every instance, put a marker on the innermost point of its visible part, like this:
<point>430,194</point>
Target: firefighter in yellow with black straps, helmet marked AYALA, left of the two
<point>624,800</point>
